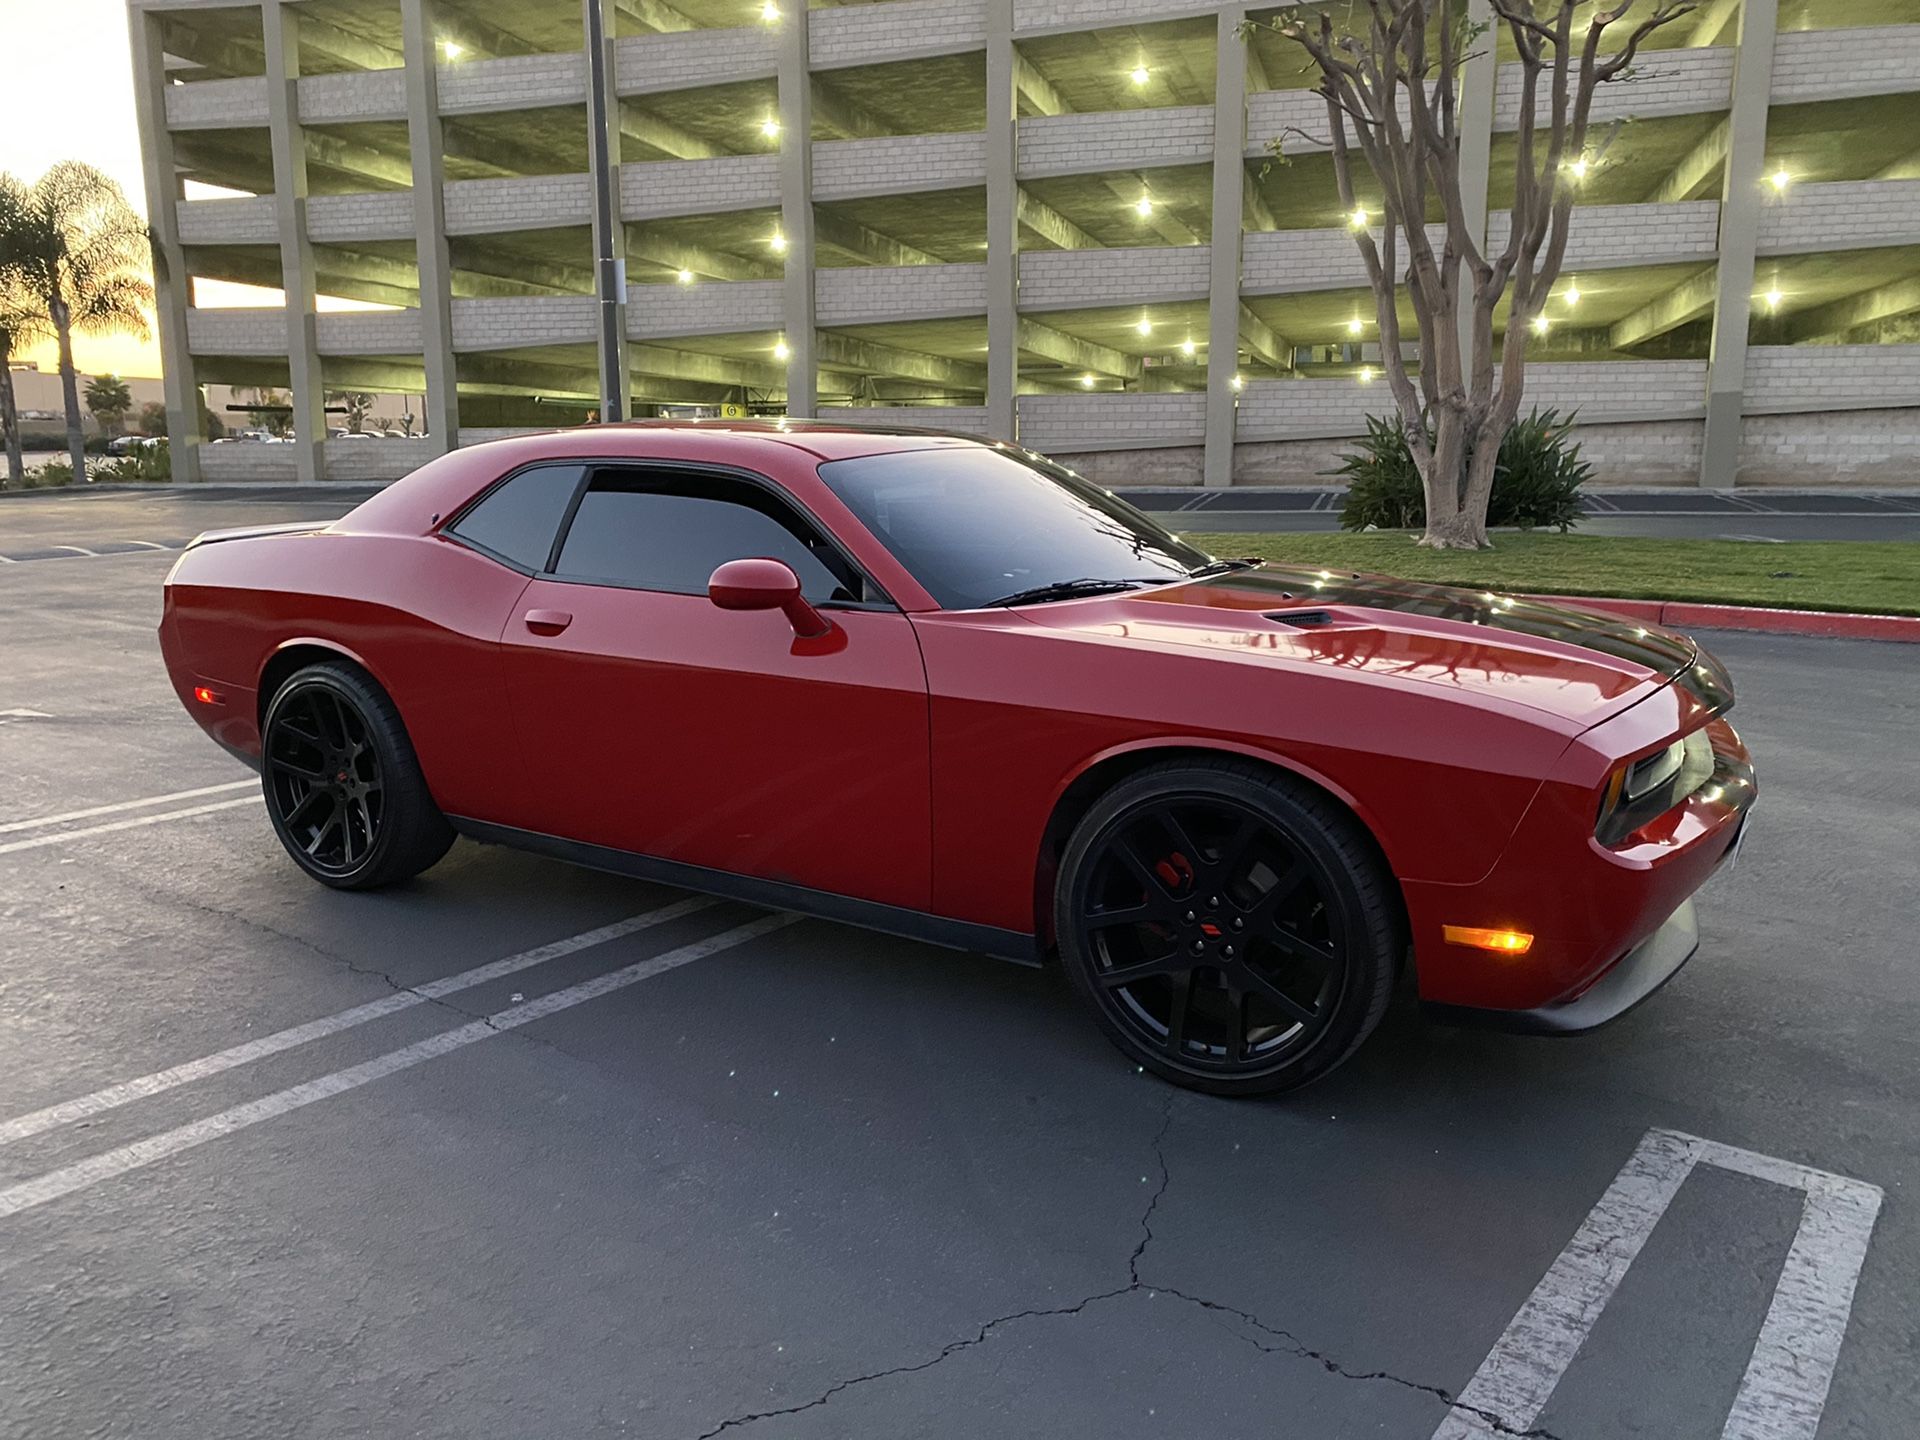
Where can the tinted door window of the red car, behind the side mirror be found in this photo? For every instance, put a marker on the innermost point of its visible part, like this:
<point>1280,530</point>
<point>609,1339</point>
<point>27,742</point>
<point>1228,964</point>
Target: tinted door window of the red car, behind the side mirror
<point>671,535</point>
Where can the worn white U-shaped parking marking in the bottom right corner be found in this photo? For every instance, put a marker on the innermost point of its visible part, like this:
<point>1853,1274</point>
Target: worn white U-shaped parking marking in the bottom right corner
<point>1785,1389</point>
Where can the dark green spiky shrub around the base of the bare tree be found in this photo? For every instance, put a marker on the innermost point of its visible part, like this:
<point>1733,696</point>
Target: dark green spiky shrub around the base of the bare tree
<point>1537,477</point>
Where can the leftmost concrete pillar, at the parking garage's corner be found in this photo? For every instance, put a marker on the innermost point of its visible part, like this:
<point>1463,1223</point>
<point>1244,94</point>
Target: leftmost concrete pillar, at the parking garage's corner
<point>172,283</point>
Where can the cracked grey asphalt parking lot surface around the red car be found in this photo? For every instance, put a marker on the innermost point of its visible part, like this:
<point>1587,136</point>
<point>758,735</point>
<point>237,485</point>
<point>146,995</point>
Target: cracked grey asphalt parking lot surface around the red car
<point>277,1161</point>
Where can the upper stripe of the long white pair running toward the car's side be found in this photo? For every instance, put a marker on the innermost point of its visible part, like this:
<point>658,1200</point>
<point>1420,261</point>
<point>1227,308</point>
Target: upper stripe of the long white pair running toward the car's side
<point>164,1080</point>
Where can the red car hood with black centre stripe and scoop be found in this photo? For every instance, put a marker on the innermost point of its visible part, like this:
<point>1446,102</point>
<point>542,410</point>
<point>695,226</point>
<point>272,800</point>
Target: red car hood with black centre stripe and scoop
<point>1570,663</point>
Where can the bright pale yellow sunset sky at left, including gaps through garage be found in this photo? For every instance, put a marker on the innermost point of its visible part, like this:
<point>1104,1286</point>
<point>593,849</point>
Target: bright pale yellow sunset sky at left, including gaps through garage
<point>66,93</point>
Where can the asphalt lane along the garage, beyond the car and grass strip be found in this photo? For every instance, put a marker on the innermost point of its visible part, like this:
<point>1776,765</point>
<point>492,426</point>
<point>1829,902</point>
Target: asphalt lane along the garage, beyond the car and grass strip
<point>80,525</point>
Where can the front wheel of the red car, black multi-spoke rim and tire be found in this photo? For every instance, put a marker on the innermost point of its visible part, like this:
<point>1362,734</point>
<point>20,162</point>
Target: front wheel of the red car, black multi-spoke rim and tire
<point>1232,932</point>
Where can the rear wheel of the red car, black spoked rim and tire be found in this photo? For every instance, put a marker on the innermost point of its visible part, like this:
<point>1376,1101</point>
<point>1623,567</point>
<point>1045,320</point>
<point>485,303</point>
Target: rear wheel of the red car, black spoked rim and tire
<point>343,784</point>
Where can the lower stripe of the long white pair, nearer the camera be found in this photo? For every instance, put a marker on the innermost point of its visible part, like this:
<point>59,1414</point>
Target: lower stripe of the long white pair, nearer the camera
<point>155,1149</point>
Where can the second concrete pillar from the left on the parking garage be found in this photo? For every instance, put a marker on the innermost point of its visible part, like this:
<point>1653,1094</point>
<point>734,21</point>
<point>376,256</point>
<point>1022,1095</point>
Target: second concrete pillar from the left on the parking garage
<point>281,28</point>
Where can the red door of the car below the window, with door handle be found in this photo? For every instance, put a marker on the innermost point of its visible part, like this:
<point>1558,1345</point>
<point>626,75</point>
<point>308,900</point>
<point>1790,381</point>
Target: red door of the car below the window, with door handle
<point>661,725</point>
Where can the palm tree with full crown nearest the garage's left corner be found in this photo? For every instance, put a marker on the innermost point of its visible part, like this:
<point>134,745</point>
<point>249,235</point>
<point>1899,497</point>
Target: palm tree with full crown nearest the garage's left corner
<point>82,252</point>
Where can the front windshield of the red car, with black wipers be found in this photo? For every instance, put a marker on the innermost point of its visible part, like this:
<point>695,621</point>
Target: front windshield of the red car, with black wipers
<point>980,525</point>
